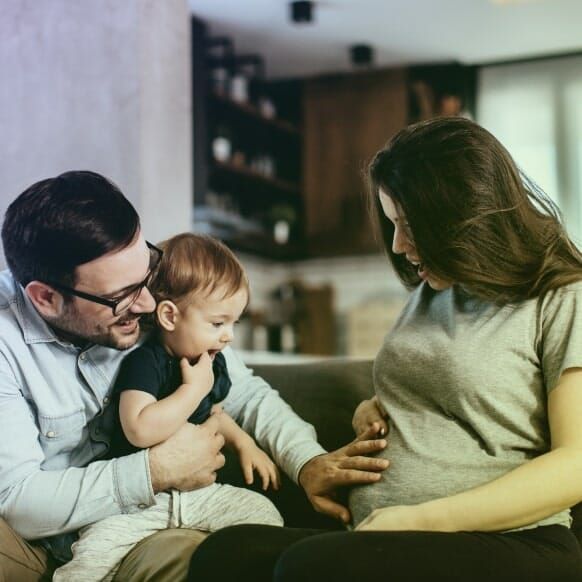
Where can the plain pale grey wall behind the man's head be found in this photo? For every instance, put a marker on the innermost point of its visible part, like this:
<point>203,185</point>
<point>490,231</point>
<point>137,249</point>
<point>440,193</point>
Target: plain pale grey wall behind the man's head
<point>101,85</point>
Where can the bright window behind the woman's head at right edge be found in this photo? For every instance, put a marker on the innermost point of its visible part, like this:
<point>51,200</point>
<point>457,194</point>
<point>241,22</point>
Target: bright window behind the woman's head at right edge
<point>535,110</point>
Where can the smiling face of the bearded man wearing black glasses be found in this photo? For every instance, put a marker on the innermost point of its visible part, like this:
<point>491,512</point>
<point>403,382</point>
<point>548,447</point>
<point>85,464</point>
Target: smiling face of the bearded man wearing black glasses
<point>82,321</point>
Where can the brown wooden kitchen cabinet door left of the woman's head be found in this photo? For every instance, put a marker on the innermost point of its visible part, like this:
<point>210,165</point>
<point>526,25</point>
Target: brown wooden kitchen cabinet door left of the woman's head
<point>347,119</point>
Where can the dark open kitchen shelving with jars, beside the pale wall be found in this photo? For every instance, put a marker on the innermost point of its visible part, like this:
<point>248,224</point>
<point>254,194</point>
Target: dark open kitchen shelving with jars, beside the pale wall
<point>259,180</point>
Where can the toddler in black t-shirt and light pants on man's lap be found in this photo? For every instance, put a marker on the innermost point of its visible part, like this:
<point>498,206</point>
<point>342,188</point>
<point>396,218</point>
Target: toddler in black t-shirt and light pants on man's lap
<point>180,375</point>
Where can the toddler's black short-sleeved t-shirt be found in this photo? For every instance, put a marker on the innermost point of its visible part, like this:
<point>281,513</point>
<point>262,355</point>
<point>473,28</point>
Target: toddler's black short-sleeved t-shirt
<point>151,369</point>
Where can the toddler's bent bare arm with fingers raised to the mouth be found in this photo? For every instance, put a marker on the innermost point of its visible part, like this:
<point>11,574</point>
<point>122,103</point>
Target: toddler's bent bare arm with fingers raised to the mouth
<point>147,421</point>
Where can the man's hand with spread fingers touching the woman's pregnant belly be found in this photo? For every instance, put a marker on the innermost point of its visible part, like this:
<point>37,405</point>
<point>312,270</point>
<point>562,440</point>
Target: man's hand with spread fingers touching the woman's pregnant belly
<point>321,476</point>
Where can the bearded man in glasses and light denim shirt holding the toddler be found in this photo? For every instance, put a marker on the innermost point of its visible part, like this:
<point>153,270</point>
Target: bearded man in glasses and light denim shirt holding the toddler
<point>70,307</point>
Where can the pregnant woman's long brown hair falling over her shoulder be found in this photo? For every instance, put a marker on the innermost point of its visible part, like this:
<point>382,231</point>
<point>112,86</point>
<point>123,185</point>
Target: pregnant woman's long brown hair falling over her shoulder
<point>475,218</point>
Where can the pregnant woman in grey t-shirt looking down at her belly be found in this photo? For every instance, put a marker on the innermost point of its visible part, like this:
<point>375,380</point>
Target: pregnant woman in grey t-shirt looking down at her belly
<point>481,377</point>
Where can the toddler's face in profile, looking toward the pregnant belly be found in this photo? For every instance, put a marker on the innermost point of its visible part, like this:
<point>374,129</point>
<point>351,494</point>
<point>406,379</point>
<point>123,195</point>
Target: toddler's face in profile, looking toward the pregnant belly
<point>208,324</point>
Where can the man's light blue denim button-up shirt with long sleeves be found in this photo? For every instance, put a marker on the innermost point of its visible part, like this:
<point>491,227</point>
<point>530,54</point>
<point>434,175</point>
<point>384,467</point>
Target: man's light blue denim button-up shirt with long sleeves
<point>51,396</point>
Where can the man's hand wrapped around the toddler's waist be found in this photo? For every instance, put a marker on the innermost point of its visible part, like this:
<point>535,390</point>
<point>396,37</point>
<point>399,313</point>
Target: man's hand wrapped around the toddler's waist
<point>189,459</point>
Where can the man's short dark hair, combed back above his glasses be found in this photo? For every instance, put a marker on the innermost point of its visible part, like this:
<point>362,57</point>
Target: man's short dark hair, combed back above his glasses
<point>60,223</point>
